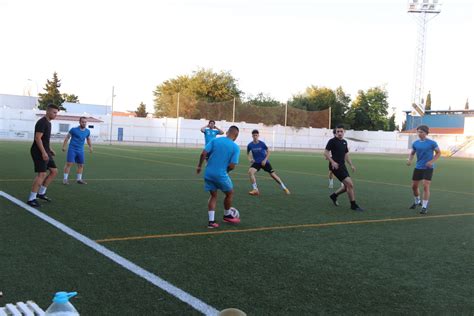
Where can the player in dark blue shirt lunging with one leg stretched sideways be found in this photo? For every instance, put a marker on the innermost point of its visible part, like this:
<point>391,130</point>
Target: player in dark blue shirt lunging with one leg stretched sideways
<point>259,160</point>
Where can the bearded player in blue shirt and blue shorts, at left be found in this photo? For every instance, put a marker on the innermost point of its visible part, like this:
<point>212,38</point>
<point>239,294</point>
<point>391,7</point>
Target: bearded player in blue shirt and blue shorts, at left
<point>75,152</point>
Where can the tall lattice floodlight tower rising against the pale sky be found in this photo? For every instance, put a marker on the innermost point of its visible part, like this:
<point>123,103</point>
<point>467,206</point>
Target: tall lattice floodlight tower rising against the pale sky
<point>423,11</point>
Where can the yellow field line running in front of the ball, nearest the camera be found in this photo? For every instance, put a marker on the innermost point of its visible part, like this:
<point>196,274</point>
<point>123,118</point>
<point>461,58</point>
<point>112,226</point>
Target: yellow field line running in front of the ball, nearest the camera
<point>272,228</point>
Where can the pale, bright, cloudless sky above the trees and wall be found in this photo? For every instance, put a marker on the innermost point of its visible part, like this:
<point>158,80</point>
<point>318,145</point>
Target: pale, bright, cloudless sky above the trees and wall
<point>277,47</point>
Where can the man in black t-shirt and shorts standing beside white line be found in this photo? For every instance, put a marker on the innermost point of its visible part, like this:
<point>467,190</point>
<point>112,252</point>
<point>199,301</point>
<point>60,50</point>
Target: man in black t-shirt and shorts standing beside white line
<point>42,155</point>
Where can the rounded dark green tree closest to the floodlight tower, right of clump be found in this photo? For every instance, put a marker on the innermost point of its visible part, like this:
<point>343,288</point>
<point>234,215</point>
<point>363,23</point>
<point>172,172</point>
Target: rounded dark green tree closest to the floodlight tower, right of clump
<point>369,110</point>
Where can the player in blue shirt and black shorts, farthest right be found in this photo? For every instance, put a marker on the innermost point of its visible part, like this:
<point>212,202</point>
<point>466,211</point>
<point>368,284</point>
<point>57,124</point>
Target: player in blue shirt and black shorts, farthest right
<point>423,148</point>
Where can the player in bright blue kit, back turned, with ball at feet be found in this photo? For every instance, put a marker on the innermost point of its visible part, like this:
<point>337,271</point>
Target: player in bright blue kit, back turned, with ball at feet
<point>223,155</point>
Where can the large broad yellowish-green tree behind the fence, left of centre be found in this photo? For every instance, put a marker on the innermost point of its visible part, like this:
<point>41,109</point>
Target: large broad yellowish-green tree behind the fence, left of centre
<point>203,85</point>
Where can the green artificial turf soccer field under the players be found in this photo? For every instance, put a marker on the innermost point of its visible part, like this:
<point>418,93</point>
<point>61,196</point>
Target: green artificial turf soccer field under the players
<point>290,255</point>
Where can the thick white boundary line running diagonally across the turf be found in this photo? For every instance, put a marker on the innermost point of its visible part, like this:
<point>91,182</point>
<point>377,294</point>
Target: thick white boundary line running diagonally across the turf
<point>183,296</point>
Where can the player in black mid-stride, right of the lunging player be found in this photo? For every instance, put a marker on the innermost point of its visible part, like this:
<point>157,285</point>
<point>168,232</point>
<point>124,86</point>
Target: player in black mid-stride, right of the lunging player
<point>337,153</point>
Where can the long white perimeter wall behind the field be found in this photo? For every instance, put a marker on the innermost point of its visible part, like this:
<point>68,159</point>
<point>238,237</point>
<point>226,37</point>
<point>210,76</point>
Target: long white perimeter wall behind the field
<point>183,132</point>
